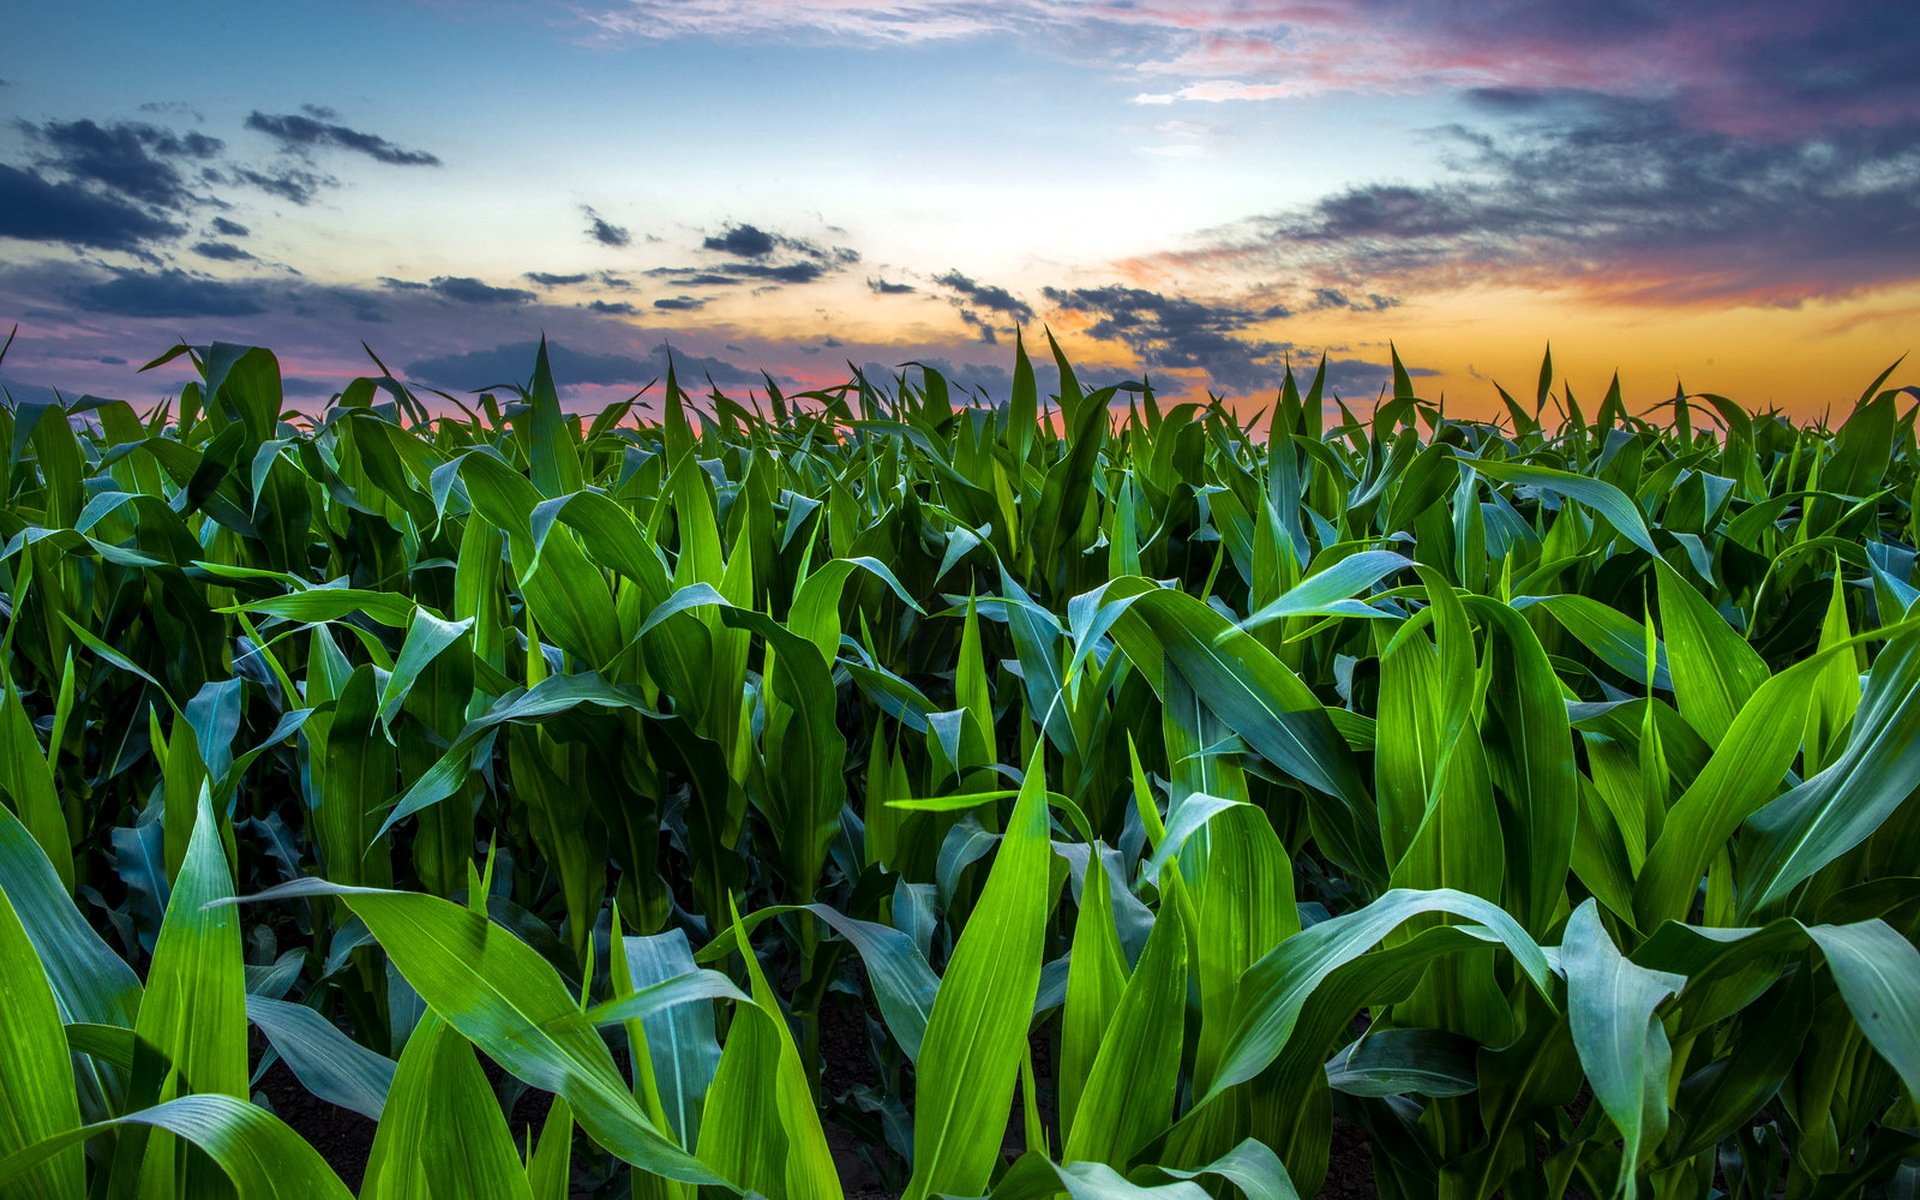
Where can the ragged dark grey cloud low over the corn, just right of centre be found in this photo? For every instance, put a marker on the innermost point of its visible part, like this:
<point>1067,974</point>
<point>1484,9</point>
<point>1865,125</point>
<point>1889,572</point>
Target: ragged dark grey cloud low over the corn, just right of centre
<point>1182,333</point>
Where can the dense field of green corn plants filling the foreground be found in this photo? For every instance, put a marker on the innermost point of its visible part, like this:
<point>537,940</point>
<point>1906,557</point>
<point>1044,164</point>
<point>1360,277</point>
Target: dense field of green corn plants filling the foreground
<point>1080,798</point>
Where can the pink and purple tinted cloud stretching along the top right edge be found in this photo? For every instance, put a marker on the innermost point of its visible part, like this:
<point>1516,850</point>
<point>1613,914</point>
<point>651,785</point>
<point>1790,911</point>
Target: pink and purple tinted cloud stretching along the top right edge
<point>1756,68</point>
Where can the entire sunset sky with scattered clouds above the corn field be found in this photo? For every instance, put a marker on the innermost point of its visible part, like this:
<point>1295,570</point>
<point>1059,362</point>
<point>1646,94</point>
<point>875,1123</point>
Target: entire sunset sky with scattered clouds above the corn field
<point>1716,195</point>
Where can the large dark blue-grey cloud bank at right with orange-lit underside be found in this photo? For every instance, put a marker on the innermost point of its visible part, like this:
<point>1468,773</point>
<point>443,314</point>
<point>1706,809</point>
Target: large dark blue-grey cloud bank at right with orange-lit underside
<point>1620,199</point>
